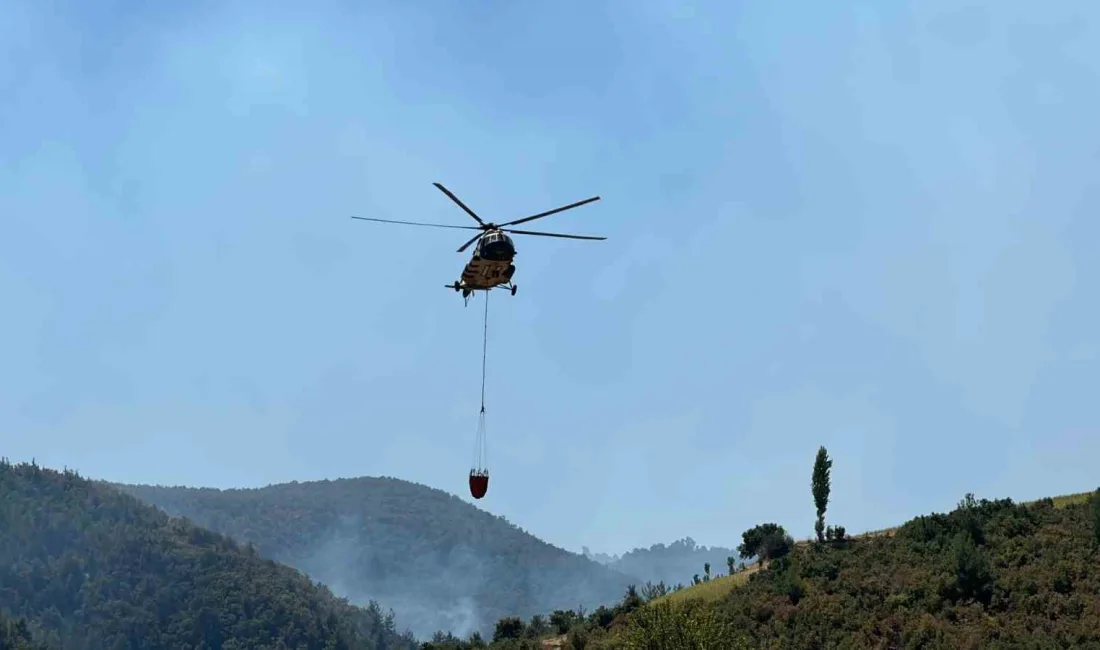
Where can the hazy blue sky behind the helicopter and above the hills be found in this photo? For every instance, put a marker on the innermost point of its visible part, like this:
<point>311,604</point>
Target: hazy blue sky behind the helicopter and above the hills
<point>867,226</point>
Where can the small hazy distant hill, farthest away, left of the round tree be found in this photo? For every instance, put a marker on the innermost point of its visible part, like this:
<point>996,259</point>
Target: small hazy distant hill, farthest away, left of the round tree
<point>676,564</point>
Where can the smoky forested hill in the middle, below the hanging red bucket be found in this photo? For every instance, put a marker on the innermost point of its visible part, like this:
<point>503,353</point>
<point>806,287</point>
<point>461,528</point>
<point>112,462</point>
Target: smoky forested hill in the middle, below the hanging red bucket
<point>438,561</point>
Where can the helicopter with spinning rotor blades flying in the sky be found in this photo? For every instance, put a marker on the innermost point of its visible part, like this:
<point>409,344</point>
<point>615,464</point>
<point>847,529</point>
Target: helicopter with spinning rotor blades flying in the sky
<point>491,265</point>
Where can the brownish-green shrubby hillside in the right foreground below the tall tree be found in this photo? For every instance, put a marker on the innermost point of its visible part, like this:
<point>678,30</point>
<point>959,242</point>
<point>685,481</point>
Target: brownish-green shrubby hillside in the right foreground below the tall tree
<point>989,575</point>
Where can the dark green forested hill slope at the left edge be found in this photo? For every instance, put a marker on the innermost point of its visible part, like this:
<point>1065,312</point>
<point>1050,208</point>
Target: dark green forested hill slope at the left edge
<point>90,568</point>
